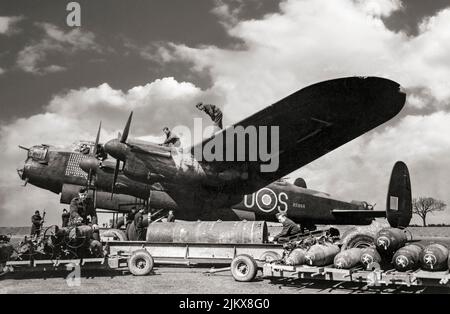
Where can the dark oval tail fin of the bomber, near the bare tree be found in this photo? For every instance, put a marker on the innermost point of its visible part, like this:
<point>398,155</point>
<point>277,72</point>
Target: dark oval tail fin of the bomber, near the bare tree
<point>399,199</point>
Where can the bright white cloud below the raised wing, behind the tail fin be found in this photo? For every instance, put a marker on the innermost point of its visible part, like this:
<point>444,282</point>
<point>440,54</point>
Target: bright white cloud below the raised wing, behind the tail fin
<point>361,169</point>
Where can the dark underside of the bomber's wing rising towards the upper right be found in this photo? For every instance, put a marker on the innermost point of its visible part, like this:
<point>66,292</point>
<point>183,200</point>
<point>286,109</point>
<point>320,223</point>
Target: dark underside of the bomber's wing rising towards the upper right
<point>312,122</point>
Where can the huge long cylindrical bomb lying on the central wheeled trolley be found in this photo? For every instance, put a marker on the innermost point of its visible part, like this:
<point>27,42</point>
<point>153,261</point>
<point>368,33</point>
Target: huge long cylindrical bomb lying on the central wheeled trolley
<point>250,232</point>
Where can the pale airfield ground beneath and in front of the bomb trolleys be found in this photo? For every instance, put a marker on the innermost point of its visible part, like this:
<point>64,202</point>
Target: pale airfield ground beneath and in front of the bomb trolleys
<point>192,280</point>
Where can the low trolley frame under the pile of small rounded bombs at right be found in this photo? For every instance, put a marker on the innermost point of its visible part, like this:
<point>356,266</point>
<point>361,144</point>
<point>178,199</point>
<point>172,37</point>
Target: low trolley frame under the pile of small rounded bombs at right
<point>375,278</point>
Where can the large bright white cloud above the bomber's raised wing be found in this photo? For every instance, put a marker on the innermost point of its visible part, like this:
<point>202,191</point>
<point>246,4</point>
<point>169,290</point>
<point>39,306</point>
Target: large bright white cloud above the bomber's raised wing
<point>310,41</point>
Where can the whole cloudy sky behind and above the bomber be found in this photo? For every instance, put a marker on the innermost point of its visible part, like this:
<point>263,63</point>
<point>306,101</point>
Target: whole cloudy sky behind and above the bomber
<point>159,58</point>
